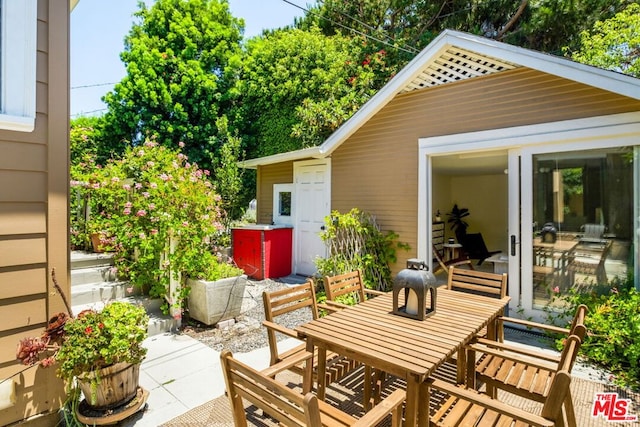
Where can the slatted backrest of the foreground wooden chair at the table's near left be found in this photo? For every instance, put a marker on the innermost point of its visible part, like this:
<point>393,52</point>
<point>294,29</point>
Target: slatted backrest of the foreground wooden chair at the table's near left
<point>281,403</point>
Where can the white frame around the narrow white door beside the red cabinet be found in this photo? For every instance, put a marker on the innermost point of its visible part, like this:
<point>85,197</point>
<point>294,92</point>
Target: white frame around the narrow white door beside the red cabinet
<point>325,210</point>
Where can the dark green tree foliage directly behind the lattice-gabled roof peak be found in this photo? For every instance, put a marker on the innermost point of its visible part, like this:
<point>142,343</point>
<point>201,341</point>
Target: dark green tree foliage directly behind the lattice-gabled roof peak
<point>545,25</point>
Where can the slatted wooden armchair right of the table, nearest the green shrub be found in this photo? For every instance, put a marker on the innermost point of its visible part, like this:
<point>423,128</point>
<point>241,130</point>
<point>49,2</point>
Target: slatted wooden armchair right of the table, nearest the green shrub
<point>517,370</point>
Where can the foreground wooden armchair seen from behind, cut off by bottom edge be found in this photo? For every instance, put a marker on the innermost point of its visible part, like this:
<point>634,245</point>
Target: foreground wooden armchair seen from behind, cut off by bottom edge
<point>289,407</point>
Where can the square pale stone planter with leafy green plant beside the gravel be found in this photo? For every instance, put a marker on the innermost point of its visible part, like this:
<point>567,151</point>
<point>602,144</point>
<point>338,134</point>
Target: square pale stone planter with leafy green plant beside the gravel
<point>216,292</point>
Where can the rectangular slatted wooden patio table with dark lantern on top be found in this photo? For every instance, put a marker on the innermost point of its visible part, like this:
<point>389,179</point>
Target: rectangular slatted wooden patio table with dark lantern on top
<point>411,349</point>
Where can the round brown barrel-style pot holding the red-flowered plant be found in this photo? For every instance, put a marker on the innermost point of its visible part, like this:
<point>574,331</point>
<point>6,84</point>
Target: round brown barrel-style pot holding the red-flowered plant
<point>117,384</point>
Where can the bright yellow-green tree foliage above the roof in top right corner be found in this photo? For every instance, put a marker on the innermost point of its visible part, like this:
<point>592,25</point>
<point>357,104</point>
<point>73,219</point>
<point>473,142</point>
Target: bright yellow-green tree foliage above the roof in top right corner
<point>613,44</point>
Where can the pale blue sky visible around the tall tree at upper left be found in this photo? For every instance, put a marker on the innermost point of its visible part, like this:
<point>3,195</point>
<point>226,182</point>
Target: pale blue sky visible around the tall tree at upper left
<point>98,28</point>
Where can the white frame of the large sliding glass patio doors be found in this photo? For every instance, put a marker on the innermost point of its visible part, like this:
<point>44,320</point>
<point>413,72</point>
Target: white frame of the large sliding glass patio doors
<point>522,142</point>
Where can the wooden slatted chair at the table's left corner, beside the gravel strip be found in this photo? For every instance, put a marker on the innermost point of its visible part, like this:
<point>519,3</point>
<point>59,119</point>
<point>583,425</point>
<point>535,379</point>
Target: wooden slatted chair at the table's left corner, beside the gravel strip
<point>279,303</point>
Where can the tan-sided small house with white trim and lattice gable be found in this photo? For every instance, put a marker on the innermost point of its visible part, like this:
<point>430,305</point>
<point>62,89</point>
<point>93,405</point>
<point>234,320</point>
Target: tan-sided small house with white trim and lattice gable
<point>489,126</point>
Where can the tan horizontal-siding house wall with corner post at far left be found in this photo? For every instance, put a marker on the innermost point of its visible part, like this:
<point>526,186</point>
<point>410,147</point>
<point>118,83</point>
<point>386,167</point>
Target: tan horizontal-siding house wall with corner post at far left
<point>34,221</point>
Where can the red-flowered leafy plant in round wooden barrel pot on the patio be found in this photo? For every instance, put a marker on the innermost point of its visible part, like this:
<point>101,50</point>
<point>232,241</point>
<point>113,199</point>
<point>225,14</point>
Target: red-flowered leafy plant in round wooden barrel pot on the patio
<point>102,351</point>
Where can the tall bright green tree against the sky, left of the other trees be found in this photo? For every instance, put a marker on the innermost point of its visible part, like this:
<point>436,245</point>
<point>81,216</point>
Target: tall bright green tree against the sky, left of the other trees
<point>177,58</point>
